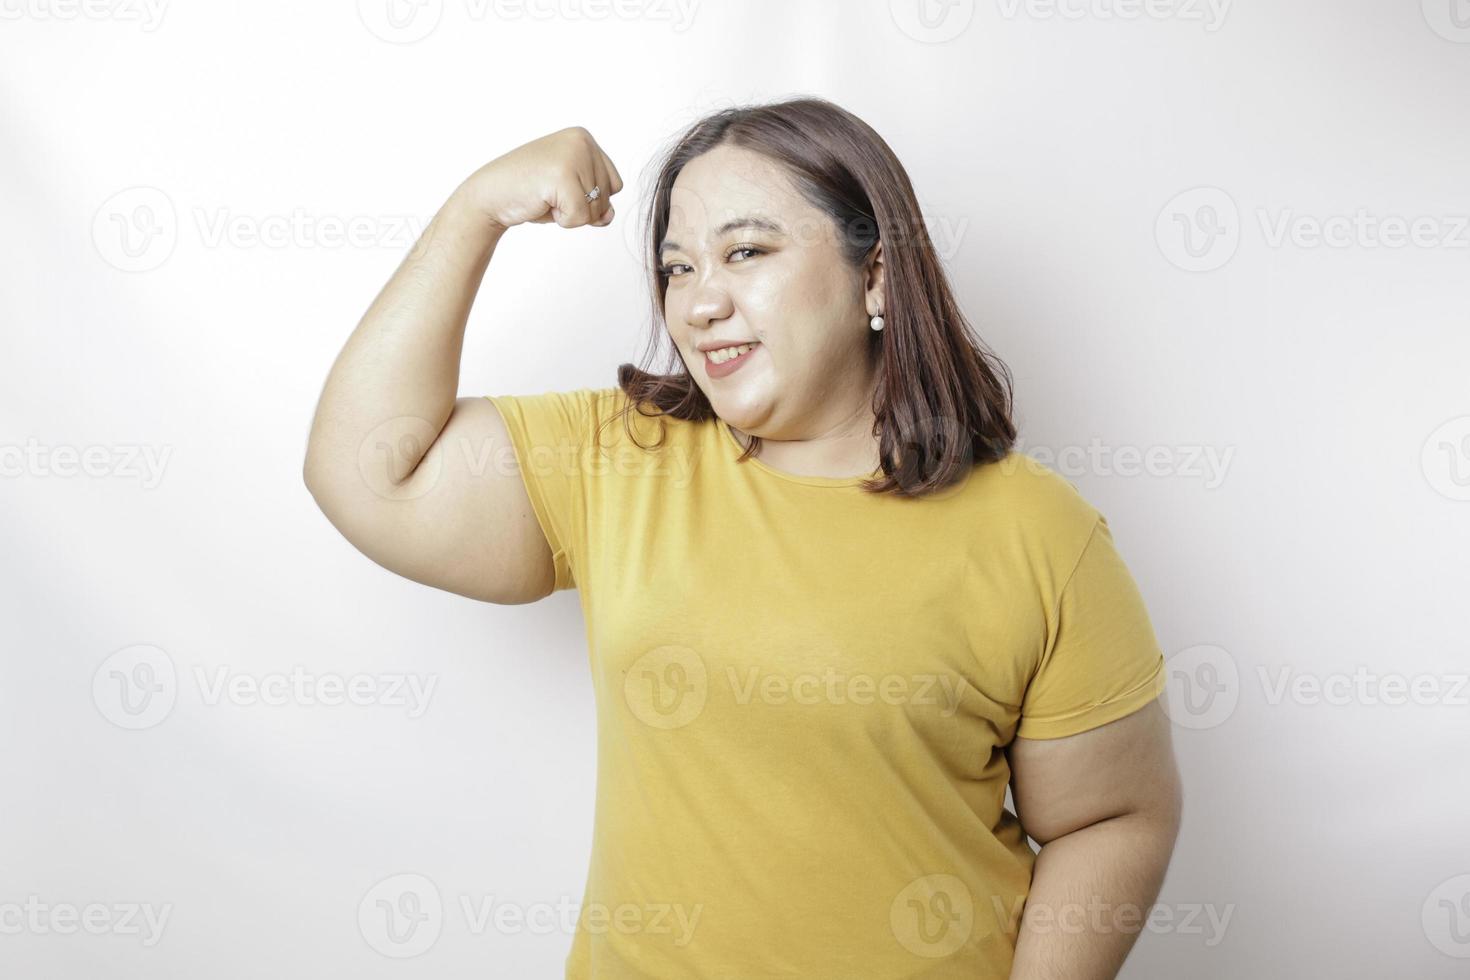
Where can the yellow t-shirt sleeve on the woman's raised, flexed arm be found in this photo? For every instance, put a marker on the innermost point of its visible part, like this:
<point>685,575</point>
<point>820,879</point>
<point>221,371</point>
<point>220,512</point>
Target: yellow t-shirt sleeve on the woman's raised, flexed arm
<point>551,434</point>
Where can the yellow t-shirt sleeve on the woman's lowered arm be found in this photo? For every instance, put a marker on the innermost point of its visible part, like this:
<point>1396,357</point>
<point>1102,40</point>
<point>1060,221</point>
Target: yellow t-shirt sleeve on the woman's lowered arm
<point>1102,660</point>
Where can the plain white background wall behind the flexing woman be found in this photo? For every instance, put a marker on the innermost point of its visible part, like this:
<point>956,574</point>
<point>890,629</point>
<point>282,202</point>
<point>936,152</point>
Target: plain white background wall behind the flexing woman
<point>1056,151</point>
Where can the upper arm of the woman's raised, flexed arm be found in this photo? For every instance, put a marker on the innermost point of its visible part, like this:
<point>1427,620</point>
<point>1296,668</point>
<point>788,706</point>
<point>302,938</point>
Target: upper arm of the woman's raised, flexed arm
<point>461,521</point>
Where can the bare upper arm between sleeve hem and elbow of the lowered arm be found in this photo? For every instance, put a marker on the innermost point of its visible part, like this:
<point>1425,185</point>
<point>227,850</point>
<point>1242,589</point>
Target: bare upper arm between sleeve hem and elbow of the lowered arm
<point>1125,766</point>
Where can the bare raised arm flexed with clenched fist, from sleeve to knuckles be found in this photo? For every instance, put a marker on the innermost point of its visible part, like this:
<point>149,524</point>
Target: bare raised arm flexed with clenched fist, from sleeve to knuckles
<point>411,474</point>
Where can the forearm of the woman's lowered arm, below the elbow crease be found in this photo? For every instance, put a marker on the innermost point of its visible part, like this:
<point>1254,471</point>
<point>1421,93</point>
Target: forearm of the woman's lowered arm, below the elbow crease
<point>1090,897</point>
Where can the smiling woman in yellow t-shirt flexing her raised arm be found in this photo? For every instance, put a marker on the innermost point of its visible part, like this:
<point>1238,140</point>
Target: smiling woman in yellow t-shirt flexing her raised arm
<point>831,612</point>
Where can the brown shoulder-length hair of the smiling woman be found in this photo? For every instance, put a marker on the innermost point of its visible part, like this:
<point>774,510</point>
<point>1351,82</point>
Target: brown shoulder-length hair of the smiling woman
<point>940,393</point>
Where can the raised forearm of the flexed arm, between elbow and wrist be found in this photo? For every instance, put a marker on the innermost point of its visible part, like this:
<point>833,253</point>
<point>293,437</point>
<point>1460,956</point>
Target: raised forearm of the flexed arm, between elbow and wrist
<point>402,361</point>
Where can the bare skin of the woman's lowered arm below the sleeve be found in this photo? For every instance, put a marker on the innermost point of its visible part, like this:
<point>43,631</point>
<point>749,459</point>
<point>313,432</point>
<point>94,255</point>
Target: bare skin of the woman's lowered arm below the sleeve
<point>1106,807</point>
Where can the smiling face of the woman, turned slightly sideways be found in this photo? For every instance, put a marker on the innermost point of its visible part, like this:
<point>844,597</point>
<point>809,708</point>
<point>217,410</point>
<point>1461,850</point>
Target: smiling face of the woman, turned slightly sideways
<point>781,283</point>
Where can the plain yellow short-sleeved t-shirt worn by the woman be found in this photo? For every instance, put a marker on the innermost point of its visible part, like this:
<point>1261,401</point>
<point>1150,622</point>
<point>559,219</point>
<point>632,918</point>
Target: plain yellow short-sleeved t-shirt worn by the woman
<point>805,691</point>
